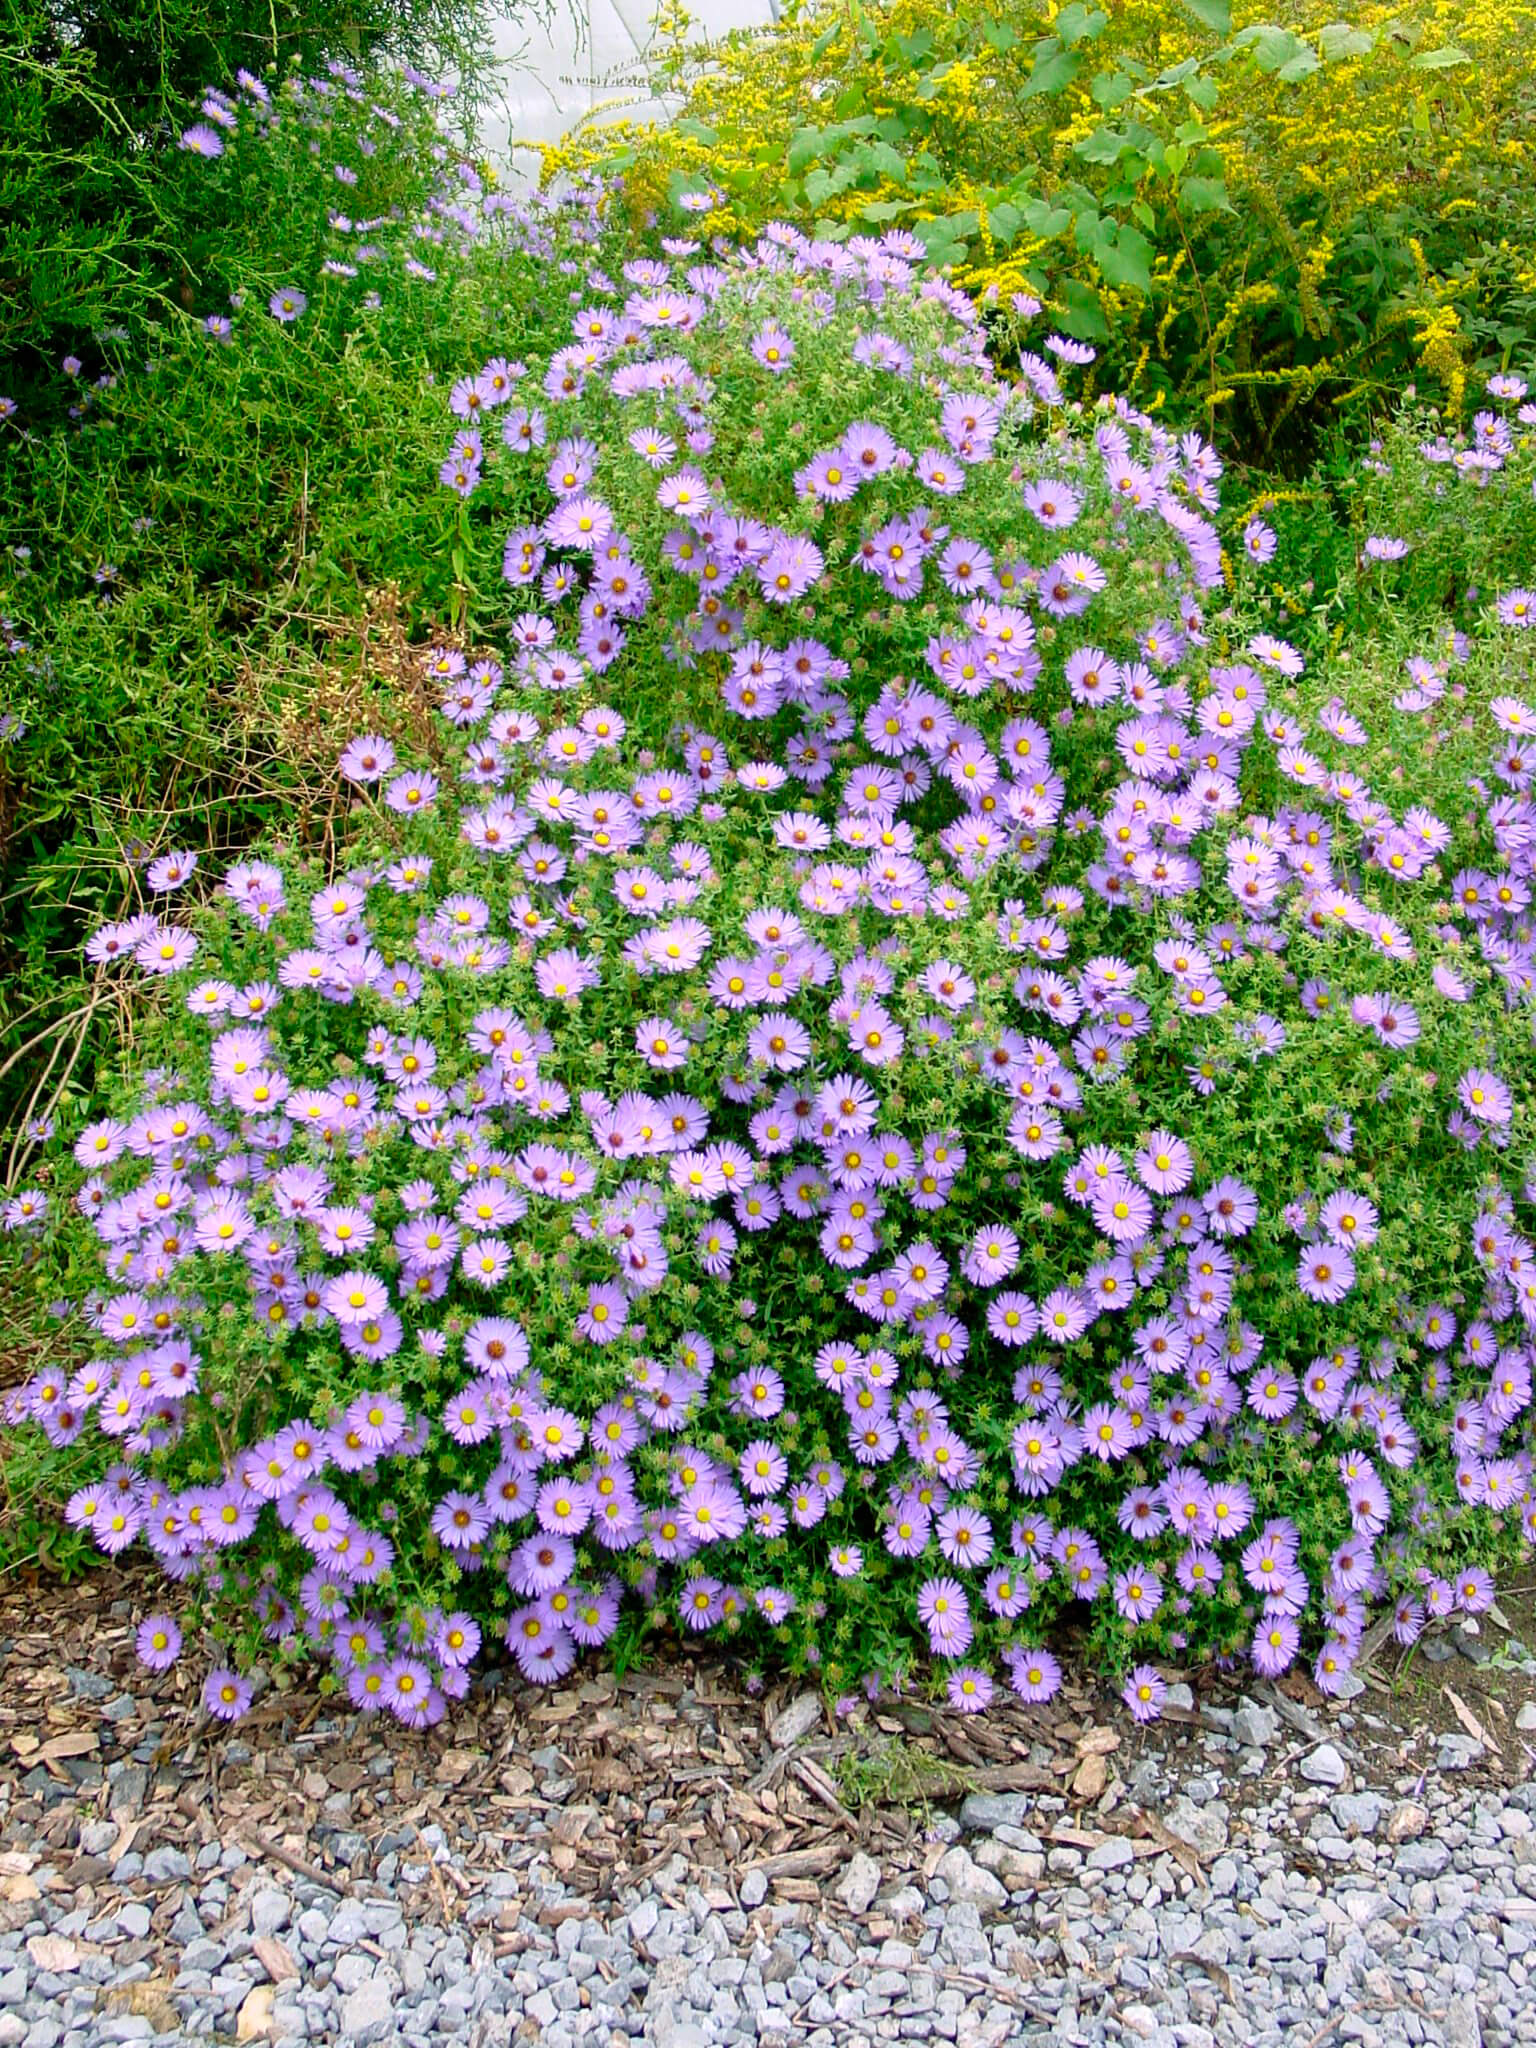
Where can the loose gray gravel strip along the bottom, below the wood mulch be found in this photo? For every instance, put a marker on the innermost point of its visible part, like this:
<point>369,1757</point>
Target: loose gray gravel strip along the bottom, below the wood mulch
<point>1289,1902</point>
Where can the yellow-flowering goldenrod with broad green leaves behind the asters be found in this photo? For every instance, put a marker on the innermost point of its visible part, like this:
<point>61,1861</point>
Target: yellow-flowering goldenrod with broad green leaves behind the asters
<point>1261,210</point>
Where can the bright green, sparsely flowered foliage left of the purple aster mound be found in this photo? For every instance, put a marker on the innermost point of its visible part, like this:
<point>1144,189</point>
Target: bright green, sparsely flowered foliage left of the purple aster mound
<point>200,540</point>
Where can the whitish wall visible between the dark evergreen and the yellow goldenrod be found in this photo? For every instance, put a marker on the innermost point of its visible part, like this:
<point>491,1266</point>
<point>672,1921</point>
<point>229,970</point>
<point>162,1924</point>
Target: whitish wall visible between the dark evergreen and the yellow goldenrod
<point>587,58</point>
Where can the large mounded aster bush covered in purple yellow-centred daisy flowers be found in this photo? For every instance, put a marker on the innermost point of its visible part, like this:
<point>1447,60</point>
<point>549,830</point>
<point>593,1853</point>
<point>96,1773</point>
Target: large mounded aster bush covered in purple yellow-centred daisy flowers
<point>896,1070</point>
